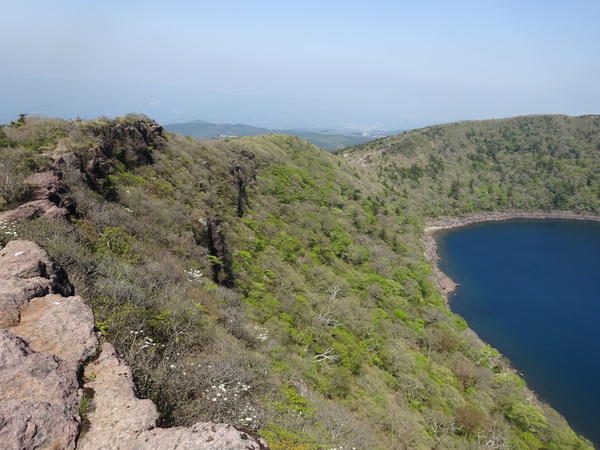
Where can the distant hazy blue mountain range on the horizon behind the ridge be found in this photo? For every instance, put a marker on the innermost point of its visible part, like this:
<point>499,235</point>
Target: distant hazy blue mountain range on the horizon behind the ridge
<point>327,139</point>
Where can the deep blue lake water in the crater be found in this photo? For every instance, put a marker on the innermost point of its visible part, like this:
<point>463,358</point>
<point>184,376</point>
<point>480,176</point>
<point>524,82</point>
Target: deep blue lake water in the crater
<point>531,289</point>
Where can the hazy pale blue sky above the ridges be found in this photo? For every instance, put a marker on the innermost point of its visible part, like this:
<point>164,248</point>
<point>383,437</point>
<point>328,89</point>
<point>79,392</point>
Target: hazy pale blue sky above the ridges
<point>388,63</point>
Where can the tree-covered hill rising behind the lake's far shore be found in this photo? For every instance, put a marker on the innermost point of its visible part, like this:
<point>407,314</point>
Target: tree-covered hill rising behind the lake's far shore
<point>524,163</point>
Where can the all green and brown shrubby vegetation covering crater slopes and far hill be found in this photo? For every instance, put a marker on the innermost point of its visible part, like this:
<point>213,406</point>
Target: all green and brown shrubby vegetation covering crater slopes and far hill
<point>264,282</point>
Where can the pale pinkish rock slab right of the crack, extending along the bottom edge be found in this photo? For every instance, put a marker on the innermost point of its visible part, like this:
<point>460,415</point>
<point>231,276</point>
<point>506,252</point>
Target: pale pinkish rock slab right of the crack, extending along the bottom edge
<point>121,420</point>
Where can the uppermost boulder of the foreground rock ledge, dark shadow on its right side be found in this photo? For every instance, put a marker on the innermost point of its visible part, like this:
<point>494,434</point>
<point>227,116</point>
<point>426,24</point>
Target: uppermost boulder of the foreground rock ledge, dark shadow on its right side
<point>26,272</point>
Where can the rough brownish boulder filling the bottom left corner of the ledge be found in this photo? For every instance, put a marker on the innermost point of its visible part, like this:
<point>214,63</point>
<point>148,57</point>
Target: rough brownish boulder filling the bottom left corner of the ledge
<point>39,398</point>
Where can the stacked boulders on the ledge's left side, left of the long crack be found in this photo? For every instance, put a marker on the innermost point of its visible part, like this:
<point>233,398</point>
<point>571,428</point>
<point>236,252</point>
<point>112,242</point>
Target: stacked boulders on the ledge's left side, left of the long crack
<point>49,335</point>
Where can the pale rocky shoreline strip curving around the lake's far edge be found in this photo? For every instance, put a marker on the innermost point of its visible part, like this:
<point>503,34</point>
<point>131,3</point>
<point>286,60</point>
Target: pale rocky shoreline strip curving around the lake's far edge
<point>444,283</point>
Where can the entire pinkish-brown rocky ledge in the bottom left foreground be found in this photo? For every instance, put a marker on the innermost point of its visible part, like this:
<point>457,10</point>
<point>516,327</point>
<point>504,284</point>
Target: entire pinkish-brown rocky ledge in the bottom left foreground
<point>47,341</point>
